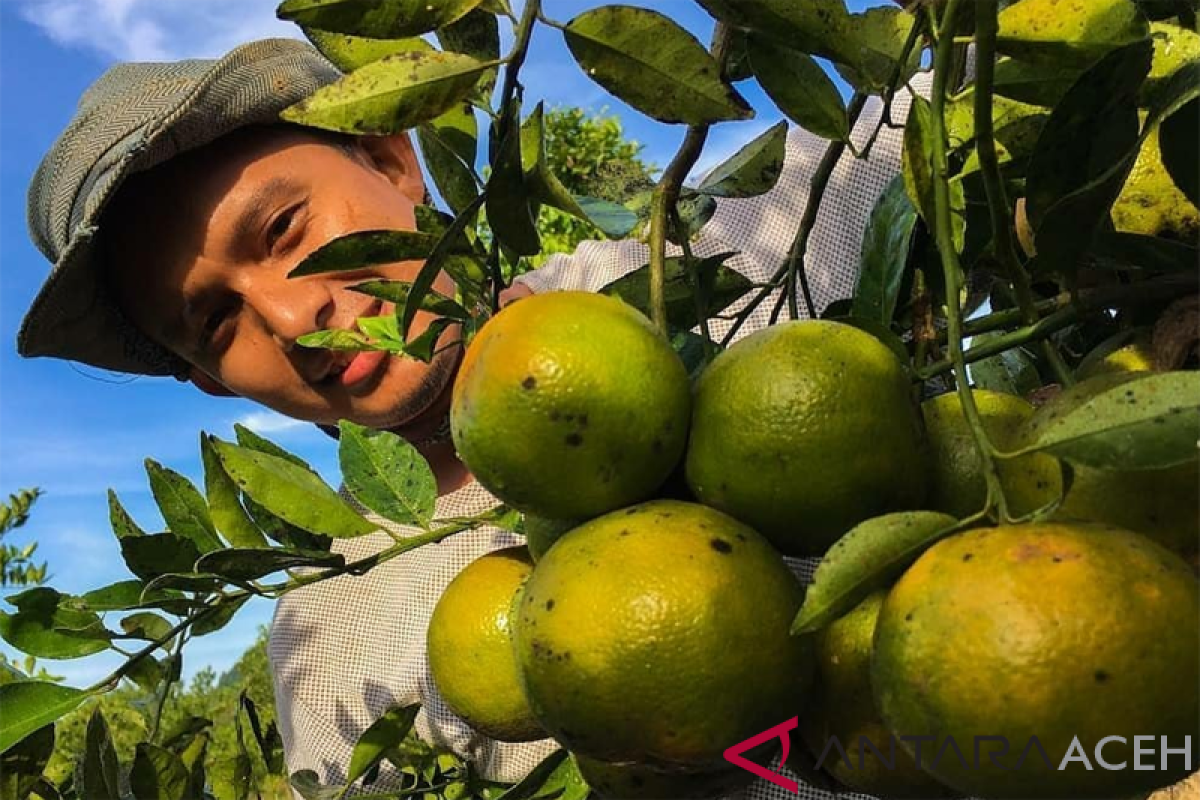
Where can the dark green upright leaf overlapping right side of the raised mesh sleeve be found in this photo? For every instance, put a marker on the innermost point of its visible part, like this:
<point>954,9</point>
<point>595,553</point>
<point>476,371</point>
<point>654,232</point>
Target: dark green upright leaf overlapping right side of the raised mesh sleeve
<point>886,245</point>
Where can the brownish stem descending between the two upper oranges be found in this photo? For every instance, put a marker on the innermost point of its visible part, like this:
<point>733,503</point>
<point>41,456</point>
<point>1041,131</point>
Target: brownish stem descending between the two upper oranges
<point>667,194</point>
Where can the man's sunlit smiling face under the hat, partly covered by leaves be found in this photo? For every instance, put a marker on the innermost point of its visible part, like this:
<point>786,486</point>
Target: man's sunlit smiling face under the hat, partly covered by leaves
<point>200,251</point>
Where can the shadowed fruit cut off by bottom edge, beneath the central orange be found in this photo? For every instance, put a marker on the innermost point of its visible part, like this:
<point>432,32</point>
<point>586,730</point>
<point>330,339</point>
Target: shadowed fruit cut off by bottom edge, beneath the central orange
<point>633,781</point>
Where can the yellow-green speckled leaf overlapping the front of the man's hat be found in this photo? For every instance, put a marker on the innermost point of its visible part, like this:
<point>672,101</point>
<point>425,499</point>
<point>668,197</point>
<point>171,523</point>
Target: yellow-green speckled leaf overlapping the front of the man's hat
<point>392,95</point>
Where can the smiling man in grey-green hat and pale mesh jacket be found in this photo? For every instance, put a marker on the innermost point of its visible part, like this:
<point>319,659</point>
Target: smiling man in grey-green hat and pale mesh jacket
<point>172,209</point>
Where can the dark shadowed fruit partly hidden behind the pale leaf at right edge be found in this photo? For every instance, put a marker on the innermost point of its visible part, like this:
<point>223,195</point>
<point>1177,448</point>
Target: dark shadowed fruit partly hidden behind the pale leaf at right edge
<point>1157,503</point>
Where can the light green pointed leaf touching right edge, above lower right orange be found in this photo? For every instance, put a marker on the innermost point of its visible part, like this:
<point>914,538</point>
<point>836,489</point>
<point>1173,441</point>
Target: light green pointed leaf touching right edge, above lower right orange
<point>1150,423</point>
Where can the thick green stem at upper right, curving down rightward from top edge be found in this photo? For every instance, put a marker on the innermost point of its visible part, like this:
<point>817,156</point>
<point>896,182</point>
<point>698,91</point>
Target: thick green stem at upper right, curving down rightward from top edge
<point>1004,234</point>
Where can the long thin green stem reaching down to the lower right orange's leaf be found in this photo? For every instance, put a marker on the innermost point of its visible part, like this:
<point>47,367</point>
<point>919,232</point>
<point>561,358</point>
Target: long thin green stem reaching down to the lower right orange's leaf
<point>952,269</point>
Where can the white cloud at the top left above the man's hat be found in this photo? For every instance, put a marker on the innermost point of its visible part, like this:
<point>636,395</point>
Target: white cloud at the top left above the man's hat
<point>155,31</point>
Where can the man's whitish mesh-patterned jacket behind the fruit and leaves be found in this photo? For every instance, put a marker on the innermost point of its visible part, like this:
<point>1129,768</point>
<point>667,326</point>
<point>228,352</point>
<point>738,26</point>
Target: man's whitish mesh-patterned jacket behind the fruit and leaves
<point>345,651</point>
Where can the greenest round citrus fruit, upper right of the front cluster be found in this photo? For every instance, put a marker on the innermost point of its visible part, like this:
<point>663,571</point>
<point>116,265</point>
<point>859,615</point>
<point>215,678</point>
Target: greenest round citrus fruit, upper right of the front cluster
<point>805,430</point>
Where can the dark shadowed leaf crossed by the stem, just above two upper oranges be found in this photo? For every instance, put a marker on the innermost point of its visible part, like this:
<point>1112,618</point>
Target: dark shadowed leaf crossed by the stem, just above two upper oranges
<point>724,287</point>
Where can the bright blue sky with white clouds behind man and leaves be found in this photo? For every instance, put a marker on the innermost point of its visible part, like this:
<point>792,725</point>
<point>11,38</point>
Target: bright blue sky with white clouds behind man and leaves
<point>75,431</point>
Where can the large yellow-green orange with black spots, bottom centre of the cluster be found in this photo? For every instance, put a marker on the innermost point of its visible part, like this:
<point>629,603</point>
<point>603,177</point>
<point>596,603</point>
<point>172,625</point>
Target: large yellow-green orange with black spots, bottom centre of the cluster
<point>659,634</point>
